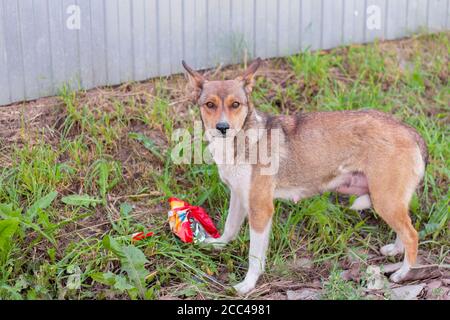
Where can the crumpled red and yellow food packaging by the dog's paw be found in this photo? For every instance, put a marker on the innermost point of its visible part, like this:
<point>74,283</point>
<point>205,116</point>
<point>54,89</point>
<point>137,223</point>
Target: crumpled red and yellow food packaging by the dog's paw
<point>190,223</point>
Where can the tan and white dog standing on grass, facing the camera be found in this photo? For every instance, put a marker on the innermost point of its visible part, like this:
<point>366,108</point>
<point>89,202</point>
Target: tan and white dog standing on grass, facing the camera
<point>366,153</point>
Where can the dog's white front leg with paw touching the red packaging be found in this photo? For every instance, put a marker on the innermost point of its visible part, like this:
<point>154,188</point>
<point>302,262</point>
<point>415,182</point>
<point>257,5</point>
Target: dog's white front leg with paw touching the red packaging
<point>235,218</point>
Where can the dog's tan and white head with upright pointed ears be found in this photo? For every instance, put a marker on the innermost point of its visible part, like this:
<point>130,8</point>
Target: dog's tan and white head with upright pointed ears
<point>224,105</point>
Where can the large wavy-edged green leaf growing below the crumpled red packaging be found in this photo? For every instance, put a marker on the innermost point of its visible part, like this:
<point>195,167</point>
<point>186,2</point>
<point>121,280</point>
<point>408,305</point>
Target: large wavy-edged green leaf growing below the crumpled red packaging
<point>132,261</point>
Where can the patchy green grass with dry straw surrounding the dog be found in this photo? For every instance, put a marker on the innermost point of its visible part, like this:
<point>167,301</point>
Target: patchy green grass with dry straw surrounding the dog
<point>75,186</point>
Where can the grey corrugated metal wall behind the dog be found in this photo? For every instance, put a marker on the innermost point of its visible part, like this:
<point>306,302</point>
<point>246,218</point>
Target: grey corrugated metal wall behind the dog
<point>122,40</point>
